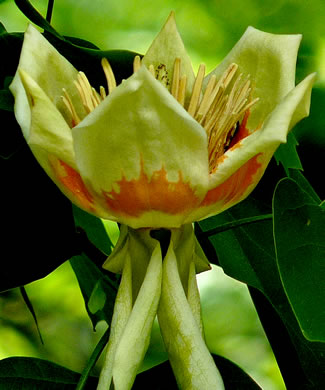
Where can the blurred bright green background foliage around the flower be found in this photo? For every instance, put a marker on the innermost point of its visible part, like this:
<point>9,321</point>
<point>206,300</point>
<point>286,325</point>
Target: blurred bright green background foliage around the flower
<point>209,29</point>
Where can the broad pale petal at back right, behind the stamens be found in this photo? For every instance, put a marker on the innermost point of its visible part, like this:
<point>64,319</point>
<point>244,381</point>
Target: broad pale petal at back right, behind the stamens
<point>270,60</point>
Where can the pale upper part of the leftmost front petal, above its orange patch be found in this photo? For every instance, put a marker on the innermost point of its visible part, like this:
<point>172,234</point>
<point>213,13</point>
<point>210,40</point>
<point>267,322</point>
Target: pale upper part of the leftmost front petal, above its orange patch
<point>47,129</point>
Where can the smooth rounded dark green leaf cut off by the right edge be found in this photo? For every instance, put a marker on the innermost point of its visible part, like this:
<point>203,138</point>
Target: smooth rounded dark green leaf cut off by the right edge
<point>299,231</point>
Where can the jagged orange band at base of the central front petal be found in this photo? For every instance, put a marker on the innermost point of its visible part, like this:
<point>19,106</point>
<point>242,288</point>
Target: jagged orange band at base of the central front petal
<point>141,195</point>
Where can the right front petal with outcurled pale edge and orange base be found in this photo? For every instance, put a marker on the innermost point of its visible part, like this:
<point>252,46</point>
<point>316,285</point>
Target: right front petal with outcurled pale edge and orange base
<point>244,164</point>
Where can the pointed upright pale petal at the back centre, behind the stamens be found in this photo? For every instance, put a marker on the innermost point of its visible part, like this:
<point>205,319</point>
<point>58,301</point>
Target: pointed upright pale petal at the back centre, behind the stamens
<point>168,46</point>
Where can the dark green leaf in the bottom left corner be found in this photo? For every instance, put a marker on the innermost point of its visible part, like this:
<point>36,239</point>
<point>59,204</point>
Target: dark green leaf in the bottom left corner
<point>31,373</point>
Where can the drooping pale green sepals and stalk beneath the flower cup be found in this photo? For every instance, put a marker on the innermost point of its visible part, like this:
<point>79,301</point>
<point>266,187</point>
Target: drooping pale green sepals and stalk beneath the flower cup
<point>164,286</point>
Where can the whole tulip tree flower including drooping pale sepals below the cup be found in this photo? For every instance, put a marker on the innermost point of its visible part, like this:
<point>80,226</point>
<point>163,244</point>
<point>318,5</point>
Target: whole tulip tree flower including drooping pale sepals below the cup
<point>163,149</point>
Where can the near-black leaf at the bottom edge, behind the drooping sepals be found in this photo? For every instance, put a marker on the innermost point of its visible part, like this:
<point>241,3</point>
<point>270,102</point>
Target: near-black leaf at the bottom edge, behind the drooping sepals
<point>162,377</point>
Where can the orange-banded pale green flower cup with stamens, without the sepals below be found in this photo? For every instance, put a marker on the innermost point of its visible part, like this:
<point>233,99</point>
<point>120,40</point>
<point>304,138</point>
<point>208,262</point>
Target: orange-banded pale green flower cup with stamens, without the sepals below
<point>165,147</point>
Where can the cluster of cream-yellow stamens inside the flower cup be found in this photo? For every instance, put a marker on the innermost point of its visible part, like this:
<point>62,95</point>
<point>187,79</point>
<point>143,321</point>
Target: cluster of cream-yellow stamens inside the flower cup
<point>218,109</point>
